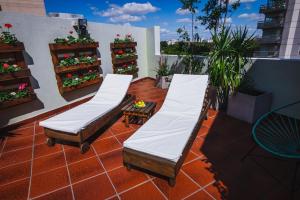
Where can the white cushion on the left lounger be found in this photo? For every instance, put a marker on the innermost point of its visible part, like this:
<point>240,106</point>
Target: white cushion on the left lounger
<point>109,95</point>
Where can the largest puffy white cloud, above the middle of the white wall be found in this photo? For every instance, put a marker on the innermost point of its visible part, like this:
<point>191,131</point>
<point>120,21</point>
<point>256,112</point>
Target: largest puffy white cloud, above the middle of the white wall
<point>129,12</point>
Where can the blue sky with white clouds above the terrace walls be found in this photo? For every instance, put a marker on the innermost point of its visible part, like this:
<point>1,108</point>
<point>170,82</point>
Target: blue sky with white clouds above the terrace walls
<point>164,13</point>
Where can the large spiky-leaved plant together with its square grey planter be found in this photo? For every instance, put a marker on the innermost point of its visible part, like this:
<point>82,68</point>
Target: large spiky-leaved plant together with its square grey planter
<point>227,62</point>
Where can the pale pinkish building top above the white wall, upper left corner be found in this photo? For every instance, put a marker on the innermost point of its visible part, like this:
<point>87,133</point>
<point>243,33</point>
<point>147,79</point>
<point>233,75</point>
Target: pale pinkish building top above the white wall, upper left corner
<point>33,7</point>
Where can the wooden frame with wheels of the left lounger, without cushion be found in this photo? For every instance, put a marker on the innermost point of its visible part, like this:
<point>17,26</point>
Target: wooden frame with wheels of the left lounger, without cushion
<point>89,130</point>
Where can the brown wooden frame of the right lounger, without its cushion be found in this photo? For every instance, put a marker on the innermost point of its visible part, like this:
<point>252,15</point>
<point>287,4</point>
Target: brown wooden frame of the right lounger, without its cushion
<point>160,166</point>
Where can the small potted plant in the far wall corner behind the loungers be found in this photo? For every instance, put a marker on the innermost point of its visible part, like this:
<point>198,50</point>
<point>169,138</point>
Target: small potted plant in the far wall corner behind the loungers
<point>163,76</point>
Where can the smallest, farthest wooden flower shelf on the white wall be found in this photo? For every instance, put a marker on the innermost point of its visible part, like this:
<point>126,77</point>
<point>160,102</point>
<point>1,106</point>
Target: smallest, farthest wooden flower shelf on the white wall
<point>124,58</point>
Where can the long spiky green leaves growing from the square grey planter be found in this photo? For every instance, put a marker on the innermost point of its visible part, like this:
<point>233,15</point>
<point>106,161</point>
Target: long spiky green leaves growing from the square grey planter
<point>227,60</point>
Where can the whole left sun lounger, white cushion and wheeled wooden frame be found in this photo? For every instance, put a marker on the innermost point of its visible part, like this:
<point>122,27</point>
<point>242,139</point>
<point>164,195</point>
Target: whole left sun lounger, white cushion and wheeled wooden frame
<point>79,123</point>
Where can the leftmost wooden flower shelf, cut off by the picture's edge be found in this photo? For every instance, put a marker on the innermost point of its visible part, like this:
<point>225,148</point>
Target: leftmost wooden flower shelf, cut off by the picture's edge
<point>15,86</point>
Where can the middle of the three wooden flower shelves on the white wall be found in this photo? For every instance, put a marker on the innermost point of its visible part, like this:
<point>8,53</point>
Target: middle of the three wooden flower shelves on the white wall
<point>76,65</point>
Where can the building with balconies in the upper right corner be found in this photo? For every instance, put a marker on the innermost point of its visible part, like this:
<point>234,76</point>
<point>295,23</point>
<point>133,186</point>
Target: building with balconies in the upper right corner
<point>280,29</point>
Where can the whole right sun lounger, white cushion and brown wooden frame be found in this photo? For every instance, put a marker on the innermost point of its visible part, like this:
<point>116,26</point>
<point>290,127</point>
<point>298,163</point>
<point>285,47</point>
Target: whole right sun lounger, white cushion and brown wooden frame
<point>162,143</point>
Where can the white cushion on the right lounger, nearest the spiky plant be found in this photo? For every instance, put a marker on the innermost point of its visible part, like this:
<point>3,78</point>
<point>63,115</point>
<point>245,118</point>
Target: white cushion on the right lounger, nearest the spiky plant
<point>167,132</point>
